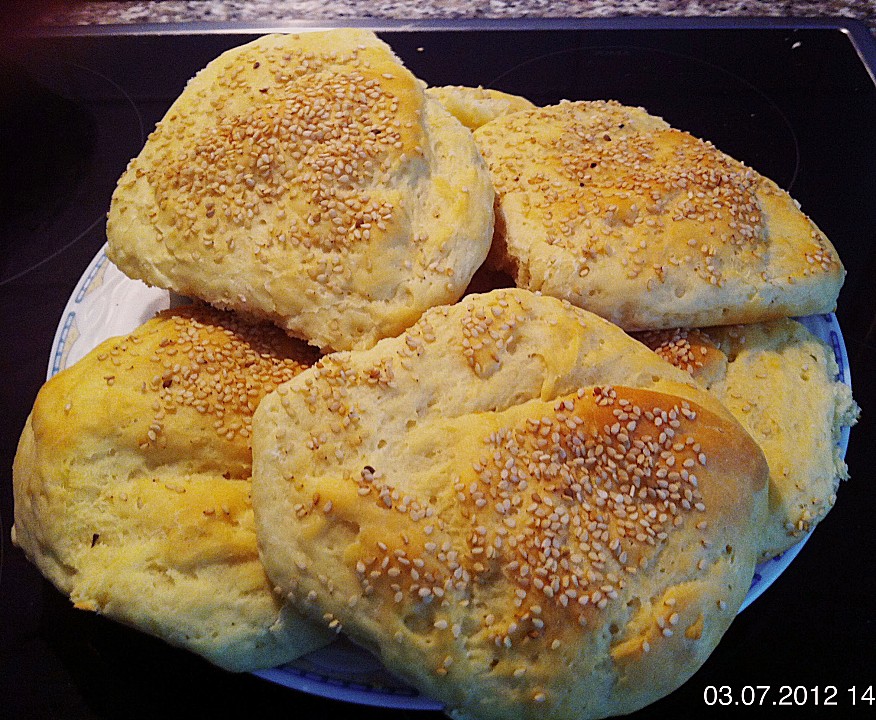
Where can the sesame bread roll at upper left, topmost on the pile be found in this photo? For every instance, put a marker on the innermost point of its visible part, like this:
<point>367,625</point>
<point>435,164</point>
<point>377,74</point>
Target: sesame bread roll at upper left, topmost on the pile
<point>307,180</point>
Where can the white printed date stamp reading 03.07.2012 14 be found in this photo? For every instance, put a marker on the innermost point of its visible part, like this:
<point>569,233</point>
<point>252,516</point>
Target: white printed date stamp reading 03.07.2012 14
<point>849,696</point>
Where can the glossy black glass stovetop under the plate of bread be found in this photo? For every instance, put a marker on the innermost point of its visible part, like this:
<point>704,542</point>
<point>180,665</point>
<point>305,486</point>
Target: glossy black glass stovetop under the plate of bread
<point>795,100</point>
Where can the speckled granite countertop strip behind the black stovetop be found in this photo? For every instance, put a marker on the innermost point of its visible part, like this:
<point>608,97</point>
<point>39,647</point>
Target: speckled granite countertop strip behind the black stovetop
<point>106,12</point>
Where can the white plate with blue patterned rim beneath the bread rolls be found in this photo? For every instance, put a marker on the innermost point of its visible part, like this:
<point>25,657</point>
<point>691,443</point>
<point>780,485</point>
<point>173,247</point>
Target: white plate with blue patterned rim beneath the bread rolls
<point>107,303</point>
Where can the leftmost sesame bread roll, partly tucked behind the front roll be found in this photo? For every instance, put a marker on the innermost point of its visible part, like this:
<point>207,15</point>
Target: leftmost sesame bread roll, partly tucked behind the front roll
<point>132,486</point>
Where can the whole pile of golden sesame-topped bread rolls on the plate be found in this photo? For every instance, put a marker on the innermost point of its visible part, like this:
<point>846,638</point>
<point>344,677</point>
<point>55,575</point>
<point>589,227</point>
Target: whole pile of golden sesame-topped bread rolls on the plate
<point>538,490</point>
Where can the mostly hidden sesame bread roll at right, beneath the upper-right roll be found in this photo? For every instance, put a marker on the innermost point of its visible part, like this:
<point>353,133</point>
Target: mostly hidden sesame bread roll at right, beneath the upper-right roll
<point>780,381</point>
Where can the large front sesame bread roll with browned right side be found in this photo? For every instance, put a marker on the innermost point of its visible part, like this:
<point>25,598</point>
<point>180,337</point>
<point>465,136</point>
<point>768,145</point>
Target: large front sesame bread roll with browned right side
<point>523,511</point>
